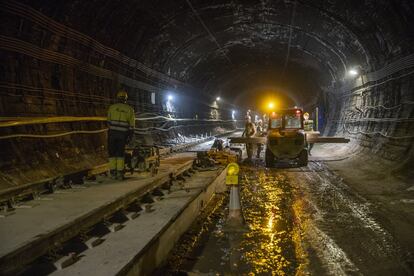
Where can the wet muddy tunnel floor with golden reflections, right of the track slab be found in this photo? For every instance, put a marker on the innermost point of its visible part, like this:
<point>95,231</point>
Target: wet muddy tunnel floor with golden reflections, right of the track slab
<point>297,221</point>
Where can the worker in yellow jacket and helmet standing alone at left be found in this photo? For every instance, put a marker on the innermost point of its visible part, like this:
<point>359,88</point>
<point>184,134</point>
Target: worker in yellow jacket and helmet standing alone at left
<point>121,123</point>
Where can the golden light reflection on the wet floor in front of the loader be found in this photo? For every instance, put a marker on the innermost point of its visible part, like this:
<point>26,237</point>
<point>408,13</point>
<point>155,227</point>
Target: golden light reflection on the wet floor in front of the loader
<point>268,247</point>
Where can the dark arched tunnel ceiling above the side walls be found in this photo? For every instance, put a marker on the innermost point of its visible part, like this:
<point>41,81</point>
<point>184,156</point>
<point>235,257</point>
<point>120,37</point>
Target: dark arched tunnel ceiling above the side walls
<point>243,45</point>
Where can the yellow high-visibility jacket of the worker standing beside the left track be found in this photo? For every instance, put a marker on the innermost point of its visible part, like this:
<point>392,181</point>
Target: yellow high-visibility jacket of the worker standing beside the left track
<point>121,117</point>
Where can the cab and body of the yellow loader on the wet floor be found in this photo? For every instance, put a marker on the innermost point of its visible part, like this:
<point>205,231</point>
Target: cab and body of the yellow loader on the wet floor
<point>286,139</point>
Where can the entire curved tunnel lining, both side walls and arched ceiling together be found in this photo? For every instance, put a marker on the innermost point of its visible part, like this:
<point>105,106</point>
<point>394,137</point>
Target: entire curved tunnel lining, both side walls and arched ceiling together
<point>69,59</point>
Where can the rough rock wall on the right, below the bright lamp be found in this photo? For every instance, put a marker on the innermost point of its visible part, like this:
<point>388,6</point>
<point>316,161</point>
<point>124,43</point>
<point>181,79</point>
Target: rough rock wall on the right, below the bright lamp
<point>378,115</point>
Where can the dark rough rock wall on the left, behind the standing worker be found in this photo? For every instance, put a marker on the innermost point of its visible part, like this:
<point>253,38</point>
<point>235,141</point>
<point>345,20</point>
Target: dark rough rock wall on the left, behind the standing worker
<point>49,69</point>
